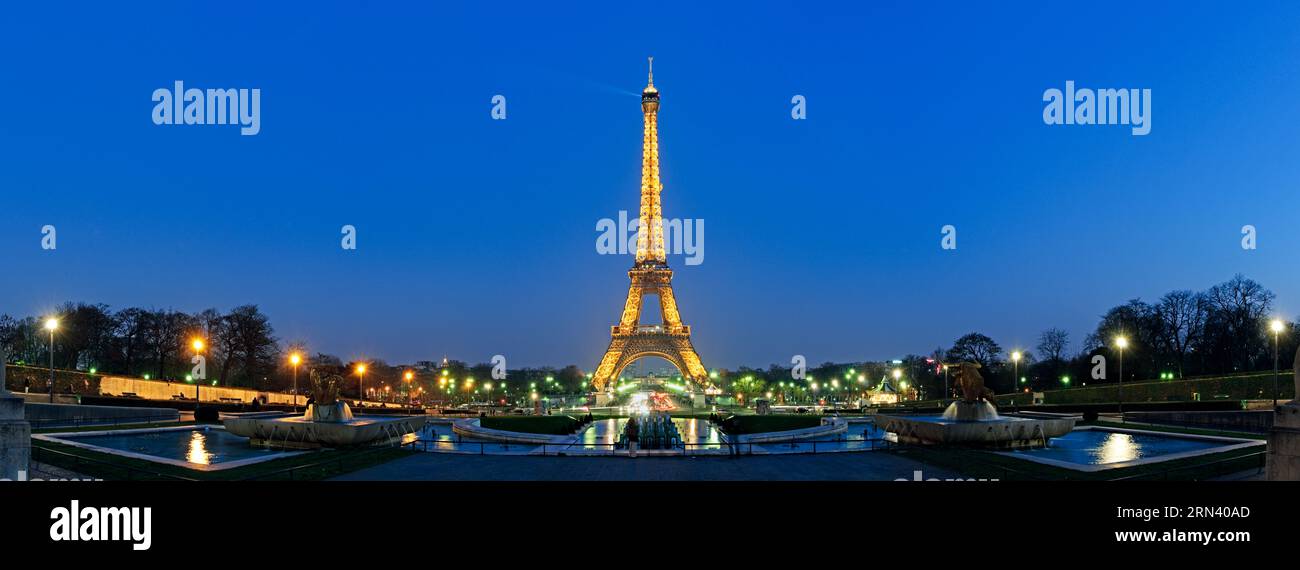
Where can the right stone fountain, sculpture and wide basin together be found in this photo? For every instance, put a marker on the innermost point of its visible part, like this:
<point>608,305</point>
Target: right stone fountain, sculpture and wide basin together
<point>974,421</point>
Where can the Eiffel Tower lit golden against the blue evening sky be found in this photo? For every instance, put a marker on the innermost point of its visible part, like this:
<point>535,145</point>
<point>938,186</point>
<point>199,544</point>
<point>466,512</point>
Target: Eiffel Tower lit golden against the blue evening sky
<point>651,277</point>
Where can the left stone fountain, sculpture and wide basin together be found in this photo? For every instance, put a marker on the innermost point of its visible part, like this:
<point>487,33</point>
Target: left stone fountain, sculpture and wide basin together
<point>328,422</point>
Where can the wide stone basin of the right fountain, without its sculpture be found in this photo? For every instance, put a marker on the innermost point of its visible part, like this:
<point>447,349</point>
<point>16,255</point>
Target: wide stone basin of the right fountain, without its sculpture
<point>1002,433</point>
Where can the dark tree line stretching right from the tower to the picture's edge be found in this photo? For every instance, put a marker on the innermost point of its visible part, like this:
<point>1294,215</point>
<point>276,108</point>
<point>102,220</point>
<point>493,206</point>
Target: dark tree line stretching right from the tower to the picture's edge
<point>1184,334</point>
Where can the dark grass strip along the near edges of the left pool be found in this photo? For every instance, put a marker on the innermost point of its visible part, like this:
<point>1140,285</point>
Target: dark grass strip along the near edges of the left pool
<point>315,467</point>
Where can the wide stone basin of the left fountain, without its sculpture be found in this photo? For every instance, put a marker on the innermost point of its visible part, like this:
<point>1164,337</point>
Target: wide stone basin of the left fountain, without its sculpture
<point>297,433</point>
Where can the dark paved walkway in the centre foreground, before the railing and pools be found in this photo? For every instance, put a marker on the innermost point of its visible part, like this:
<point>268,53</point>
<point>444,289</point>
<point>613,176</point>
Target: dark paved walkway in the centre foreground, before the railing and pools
<point>831,467</point>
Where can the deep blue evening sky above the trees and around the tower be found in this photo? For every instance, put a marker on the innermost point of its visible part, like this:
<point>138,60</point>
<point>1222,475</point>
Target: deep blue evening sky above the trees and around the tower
<point>478,236</point>
